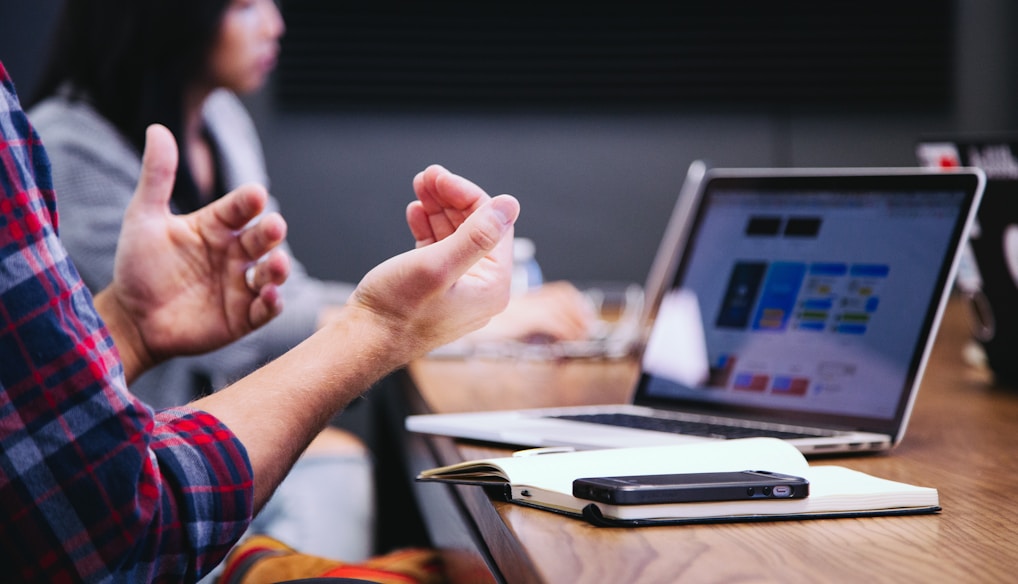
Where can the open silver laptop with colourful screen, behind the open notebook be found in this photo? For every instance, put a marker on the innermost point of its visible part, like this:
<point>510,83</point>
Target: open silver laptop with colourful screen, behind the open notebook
<point>803,305</point>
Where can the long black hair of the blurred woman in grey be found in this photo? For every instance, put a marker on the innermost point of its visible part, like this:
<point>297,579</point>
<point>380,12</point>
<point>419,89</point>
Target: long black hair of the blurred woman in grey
<point>133,61</point>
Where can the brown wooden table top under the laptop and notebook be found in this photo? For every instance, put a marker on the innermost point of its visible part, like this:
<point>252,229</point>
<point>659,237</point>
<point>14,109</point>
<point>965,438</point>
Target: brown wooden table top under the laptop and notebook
<point>963,441</point>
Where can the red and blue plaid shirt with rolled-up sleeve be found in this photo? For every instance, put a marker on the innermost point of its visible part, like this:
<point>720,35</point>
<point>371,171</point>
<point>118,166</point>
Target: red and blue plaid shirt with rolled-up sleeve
<point>94,486</point>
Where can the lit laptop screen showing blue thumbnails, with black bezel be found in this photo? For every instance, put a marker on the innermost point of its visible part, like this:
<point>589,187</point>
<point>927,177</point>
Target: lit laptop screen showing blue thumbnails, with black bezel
<point>810,298</point>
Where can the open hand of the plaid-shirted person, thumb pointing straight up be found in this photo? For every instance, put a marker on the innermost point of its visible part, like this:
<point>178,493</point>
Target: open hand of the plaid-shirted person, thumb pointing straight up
<point>190,284</point>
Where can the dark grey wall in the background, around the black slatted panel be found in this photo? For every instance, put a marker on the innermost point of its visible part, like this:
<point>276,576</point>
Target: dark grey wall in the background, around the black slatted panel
<point>597,182</point>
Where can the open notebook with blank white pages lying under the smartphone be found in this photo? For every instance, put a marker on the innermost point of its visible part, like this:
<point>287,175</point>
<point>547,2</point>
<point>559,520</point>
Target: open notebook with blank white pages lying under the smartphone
<point>546,482</point>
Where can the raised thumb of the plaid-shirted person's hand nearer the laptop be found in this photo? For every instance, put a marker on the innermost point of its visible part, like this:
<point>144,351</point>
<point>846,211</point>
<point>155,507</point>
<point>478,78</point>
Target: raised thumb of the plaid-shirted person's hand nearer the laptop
<point>482,233</point>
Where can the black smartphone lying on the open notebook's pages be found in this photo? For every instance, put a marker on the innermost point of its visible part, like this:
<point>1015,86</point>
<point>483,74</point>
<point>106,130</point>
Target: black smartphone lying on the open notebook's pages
<point>692,488</point>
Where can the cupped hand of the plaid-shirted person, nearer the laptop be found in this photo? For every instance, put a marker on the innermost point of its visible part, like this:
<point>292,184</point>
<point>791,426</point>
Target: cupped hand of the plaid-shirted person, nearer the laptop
<point>457,279</point>
